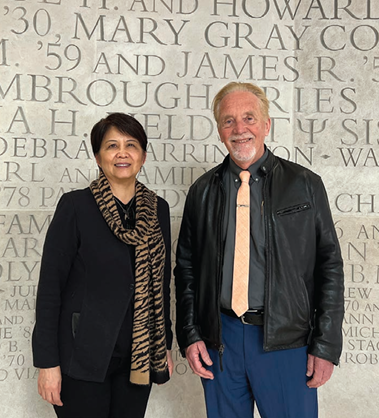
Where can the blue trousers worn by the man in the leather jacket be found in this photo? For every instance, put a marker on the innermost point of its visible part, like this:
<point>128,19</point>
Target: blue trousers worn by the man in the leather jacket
<point>275,380</point>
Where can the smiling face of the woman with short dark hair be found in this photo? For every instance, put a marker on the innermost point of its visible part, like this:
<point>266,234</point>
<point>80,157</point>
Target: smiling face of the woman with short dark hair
<point>120,156</point>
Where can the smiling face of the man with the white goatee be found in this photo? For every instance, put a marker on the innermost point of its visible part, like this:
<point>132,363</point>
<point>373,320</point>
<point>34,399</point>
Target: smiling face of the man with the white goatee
<point>242,128</point>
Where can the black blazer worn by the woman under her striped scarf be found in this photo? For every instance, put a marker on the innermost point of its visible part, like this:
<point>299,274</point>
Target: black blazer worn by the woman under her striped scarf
<point>86,271</point>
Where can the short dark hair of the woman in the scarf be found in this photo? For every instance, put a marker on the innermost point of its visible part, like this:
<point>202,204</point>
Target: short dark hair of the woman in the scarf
<point>124,123</point>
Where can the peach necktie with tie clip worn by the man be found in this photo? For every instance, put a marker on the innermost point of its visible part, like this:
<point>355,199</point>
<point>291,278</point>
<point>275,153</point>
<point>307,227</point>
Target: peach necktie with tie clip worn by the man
<point>240,303</point>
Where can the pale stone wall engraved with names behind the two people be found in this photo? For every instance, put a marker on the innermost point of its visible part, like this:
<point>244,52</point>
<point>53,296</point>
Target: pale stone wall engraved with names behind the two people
<point>64,64</point>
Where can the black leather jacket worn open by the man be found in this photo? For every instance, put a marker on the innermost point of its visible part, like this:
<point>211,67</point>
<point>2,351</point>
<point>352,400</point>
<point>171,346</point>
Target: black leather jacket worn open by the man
<point>304,285</point>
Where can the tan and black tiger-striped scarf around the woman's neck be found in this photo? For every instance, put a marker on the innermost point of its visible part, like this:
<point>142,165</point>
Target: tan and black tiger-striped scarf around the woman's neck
<point>149,361</point>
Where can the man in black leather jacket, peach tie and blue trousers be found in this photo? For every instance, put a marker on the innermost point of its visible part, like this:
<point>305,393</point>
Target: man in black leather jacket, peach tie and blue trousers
<point>285,341</point>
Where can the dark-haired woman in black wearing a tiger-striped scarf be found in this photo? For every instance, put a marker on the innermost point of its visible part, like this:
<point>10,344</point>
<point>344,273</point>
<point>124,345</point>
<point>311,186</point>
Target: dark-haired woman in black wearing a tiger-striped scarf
<point>103,332</point>
